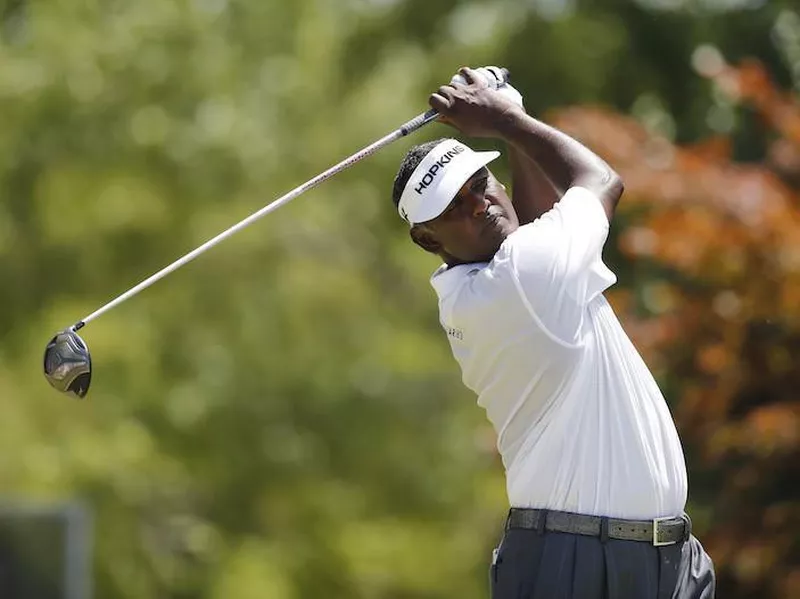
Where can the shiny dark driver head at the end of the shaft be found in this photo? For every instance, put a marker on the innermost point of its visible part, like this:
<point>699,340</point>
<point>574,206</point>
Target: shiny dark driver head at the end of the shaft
<point>67,364</point>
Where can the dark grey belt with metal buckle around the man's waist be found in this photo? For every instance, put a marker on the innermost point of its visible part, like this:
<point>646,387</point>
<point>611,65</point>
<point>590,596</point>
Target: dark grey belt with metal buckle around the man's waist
<point>658,531</point>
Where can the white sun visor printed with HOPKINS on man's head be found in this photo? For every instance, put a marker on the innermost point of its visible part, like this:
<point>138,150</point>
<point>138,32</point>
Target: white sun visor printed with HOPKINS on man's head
<point>437,179</point>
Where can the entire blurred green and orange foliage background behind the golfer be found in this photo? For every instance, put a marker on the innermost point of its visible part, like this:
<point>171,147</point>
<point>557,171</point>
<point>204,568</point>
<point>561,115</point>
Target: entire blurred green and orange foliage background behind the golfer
<point>282,418</point>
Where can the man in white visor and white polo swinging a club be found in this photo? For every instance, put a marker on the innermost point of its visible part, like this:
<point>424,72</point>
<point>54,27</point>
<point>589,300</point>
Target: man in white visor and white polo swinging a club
<point>595,471</point>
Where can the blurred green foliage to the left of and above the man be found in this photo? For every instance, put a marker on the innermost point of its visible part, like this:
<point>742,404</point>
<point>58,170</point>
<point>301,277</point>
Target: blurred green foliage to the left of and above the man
<point>281,418</point>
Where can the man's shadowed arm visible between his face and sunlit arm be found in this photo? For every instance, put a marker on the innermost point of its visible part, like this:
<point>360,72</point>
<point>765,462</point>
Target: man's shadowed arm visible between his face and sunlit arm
<point>533,192</point>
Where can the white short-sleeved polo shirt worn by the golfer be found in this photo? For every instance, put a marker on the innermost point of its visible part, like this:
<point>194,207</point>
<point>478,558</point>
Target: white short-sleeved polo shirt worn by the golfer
<point>581,424</point>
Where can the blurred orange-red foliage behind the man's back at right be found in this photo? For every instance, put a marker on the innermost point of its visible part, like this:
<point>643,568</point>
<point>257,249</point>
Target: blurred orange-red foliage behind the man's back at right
<point>712,260</point>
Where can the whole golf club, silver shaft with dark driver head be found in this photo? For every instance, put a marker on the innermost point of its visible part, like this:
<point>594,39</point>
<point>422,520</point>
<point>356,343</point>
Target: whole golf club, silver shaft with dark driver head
<point>67,362</point>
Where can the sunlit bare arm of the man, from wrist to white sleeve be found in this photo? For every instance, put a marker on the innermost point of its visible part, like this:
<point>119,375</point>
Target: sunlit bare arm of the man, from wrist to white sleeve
<point>565,160</point>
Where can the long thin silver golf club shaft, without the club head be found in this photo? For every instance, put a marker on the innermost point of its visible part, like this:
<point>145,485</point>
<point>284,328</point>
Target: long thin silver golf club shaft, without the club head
<point>405,129</point>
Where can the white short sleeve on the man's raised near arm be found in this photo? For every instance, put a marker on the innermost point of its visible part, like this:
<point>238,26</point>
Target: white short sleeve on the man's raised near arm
<point>557,262</point>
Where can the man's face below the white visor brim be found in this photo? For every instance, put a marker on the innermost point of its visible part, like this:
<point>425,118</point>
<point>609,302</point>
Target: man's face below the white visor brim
<point>473,225</point>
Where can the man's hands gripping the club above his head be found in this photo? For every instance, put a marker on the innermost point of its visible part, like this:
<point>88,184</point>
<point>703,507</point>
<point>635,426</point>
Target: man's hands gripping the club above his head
<point>474,108</point>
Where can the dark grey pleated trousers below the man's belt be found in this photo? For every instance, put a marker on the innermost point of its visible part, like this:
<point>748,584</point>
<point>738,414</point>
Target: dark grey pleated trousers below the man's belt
<point>554,565</point>
